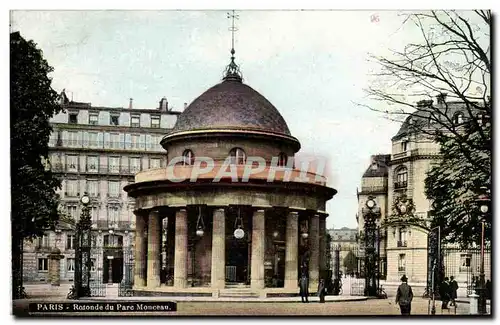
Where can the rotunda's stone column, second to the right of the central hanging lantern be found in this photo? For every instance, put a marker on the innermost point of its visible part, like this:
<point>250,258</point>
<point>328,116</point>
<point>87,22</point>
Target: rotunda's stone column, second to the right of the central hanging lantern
<point>292,244</point>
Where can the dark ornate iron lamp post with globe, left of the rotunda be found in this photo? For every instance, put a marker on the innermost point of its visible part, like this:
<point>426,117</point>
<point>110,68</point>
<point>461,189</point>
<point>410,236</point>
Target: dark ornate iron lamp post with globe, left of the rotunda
<point>82,250</point>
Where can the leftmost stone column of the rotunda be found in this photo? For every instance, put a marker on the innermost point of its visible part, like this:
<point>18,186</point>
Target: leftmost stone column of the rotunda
<point>140,250</point>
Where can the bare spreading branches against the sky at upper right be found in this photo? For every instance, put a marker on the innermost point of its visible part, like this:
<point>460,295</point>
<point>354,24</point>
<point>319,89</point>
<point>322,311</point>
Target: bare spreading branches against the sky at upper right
<point>452,62</point>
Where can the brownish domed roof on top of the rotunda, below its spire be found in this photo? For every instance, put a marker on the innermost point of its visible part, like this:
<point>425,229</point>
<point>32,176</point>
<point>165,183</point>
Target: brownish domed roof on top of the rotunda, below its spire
<point>231,105</point>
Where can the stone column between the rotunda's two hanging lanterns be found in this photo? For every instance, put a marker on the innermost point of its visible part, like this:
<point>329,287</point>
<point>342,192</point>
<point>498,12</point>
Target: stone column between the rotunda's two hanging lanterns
<point>218,276</point>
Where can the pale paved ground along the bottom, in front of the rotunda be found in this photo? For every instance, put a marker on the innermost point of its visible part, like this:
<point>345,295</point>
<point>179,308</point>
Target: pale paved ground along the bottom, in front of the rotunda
<point>351,308</point>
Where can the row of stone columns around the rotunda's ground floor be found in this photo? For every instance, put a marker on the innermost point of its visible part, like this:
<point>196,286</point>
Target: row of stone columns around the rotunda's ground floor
<point>148,249</point>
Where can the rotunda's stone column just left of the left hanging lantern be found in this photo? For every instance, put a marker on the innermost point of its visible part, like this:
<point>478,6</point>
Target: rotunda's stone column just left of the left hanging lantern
<point>181,249</point>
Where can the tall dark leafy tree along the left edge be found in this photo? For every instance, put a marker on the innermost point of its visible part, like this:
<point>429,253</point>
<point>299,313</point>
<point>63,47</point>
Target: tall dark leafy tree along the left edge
<point>33,188</point>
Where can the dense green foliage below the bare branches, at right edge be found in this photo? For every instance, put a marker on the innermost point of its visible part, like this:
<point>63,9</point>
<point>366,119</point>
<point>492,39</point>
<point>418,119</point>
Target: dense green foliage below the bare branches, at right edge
<point>454,185</point>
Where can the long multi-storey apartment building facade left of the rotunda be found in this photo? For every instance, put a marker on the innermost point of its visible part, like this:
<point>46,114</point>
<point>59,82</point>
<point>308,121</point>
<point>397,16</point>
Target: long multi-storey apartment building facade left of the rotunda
<point>98,150</point>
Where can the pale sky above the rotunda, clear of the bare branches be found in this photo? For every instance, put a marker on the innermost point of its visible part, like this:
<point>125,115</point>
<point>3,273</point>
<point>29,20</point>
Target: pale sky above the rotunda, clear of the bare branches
<point>312,65</point>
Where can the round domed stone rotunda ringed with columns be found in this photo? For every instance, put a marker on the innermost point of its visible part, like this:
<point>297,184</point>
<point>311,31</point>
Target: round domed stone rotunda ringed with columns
<point>230,214</point>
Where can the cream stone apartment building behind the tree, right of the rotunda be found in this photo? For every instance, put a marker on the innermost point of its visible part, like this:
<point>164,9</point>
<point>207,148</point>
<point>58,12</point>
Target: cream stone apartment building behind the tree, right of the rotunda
<point>401,174</point>
